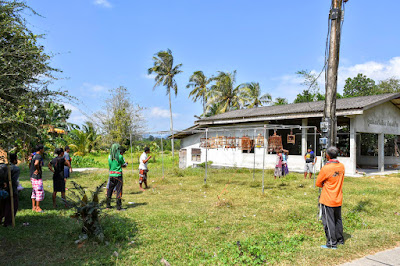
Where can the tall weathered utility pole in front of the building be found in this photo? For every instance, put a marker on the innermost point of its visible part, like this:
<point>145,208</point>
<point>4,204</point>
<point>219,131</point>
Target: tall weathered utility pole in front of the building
<point>329,119</point>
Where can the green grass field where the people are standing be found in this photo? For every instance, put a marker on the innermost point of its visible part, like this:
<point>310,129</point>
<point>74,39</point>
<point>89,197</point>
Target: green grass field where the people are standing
<point>229,221</point>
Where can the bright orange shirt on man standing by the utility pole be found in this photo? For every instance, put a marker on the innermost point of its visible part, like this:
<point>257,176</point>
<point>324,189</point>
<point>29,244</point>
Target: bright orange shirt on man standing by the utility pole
<point>331,178</point>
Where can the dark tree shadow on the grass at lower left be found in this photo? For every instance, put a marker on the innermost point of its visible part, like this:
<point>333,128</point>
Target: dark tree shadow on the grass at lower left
<point>50,238</point>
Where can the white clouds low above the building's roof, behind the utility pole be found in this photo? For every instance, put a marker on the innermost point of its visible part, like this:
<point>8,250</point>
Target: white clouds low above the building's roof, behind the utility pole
<point>290,84</point>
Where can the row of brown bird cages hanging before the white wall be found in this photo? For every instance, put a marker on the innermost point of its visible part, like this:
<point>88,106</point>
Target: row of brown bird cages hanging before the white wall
<point>241,143</point>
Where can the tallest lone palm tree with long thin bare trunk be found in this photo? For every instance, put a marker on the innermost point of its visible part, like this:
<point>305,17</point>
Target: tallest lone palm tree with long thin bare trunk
<point>165,75</point>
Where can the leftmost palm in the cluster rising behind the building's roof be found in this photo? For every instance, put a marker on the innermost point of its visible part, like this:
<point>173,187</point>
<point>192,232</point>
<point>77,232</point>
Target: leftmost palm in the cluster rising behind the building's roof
<point>199,82</point>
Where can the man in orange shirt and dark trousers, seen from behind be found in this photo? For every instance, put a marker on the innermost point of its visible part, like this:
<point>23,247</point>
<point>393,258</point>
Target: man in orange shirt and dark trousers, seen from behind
<point>331,178</point>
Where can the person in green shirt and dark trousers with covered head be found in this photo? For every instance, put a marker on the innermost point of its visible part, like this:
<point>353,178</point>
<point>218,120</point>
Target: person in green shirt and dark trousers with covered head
<point>115,164</point>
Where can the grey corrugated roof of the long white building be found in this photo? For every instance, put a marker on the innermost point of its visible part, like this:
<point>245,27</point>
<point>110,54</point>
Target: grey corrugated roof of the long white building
<point>363,102</point>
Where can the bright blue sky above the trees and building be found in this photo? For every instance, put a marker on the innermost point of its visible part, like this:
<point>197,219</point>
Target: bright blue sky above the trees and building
<point>103,44</point>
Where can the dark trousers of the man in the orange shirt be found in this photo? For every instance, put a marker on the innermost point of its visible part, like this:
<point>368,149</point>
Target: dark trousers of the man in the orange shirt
<point>332,221</point>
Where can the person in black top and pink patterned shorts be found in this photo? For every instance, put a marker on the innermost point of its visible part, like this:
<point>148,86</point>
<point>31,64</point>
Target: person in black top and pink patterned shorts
<point>36,178</point>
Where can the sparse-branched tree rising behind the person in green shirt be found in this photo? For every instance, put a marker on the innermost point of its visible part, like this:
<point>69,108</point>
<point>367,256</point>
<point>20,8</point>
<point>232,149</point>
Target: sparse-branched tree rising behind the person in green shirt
<point>120,118</point>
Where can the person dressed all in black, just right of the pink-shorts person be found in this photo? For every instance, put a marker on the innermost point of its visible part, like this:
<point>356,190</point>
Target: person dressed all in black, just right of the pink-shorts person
<point>57,167</point>
